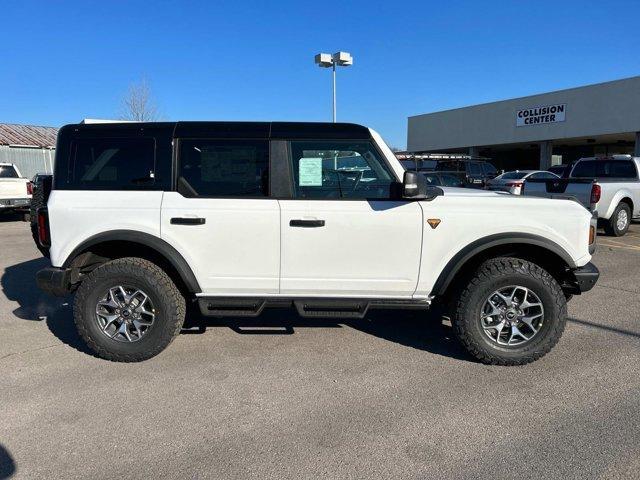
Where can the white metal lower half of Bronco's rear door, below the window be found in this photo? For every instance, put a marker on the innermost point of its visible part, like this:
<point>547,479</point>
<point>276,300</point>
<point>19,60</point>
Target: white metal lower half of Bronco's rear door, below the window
<point>237,250</point>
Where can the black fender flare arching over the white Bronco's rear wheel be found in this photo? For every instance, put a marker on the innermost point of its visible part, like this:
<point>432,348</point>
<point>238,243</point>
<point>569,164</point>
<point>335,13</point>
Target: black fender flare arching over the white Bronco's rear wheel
<point>160,246</point>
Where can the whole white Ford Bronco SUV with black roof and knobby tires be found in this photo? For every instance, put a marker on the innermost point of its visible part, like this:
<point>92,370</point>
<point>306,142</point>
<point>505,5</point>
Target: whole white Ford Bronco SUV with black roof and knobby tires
<point>234,217</point>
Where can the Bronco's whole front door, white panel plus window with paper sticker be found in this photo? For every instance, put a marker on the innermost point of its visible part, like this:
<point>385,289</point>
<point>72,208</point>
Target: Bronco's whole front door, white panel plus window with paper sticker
<point>343,233</point>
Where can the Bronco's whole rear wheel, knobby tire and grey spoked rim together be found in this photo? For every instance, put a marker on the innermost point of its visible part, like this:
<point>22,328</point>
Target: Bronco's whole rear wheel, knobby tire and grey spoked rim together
<point>128,310</point>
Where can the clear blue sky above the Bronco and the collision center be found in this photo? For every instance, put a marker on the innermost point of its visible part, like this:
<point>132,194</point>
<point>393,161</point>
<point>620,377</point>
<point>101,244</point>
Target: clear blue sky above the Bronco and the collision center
<point>253,60</point>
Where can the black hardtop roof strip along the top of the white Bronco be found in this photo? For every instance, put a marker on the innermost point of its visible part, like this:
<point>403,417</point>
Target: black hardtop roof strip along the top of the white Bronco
<point>195,129</point>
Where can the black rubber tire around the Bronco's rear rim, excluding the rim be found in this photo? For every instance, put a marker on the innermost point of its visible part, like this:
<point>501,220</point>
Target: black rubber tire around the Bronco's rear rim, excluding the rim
<point>168,301</point>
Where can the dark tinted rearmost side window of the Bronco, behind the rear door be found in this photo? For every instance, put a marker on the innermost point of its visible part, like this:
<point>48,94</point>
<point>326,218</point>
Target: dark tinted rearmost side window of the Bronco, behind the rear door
<point>112,164</point>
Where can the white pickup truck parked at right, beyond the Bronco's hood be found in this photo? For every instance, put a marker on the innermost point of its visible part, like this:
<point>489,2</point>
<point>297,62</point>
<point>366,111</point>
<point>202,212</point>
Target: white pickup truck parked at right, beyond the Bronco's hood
<point>609,186</point>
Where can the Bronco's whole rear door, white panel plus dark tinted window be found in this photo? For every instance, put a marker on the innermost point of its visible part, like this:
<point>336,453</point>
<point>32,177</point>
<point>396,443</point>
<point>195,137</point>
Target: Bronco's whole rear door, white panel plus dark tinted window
<point>221,218</point>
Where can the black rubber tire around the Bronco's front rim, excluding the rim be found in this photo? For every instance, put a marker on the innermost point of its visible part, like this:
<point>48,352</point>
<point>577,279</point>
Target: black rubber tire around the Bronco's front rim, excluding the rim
<point>492,275</point>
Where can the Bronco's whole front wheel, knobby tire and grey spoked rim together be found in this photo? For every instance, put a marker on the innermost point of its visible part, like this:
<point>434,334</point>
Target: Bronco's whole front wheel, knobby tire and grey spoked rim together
<point>509,312</point>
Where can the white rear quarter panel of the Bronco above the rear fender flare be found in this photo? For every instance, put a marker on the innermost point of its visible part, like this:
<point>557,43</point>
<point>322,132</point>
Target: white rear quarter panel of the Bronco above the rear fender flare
<point>76,215</point>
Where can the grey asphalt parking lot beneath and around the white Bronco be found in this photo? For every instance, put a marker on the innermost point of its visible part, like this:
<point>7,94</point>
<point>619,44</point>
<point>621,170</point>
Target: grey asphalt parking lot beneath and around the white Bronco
<point>391,396</point>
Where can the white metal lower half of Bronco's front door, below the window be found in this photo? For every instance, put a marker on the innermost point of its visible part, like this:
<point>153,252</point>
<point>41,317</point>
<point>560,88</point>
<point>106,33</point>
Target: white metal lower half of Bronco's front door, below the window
<point>365,249</point>
